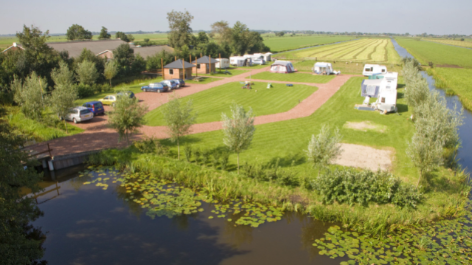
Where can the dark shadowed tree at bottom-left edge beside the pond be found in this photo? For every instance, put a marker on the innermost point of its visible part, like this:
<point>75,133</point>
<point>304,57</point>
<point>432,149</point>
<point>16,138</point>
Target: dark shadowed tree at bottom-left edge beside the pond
<point>20,242</point>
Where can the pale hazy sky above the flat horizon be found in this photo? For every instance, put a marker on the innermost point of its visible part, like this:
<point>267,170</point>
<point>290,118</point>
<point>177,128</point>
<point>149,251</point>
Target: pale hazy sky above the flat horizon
<point>401,16</point>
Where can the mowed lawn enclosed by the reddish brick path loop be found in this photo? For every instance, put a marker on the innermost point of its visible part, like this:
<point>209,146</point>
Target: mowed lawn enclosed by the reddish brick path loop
<point>209,104</point>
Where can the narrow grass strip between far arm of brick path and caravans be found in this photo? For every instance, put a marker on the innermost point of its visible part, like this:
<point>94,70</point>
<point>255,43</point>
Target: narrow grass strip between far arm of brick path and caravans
<point>294,77</point>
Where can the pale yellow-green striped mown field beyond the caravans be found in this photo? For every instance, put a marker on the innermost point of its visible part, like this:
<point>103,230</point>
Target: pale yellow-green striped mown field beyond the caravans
<point>363,50</point>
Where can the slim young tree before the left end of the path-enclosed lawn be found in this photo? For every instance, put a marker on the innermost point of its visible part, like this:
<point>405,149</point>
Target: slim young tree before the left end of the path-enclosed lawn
<point>179,117</point>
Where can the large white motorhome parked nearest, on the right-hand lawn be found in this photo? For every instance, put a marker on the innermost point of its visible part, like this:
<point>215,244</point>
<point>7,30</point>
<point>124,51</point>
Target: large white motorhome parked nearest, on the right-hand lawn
<point>384,88</point>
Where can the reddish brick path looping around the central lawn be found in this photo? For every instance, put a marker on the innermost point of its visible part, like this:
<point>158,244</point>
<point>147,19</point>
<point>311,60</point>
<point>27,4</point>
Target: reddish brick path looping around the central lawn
<point>98,135</point>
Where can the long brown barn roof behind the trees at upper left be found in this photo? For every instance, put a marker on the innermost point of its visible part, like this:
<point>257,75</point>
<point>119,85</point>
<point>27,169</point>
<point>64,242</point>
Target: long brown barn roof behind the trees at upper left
<point>75,47</point>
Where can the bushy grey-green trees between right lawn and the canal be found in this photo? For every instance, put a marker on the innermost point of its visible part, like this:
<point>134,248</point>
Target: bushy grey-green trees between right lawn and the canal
<point>436,126</point>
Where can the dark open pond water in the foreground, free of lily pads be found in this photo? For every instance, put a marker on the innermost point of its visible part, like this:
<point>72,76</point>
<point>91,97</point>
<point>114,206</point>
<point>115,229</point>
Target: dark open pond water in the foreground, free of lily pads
<point>88,225</point>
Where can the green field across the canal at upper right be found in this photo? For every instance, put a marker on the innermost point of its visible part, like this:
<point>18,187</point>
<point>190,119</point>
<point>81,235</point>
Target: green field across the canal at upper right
<point>439,54</point>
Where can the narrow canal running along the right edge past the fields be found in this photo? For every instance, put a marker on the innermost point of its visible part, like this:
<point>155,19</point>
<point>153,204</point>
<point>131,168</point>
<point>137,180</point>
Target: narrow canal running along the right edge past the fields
<point>465,131</point>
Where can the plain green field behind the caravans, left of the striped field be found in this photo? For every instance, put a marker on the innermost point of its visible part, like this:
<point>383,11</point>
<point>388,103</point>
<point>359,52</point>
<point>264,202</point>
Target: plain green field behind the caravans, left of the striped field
<point>278,44</point>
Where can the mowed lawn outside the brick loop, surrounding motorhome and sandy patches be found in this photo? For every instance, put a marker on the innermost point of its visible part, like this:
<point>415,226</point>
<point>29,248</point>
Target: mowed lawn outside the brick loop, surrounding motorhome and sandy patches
<point>287,140</point>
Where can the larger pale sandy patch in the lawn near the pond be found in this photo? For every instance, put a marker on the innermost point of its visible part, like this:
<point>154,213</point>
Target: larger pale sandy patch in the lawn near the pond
<point>354,155</point>
